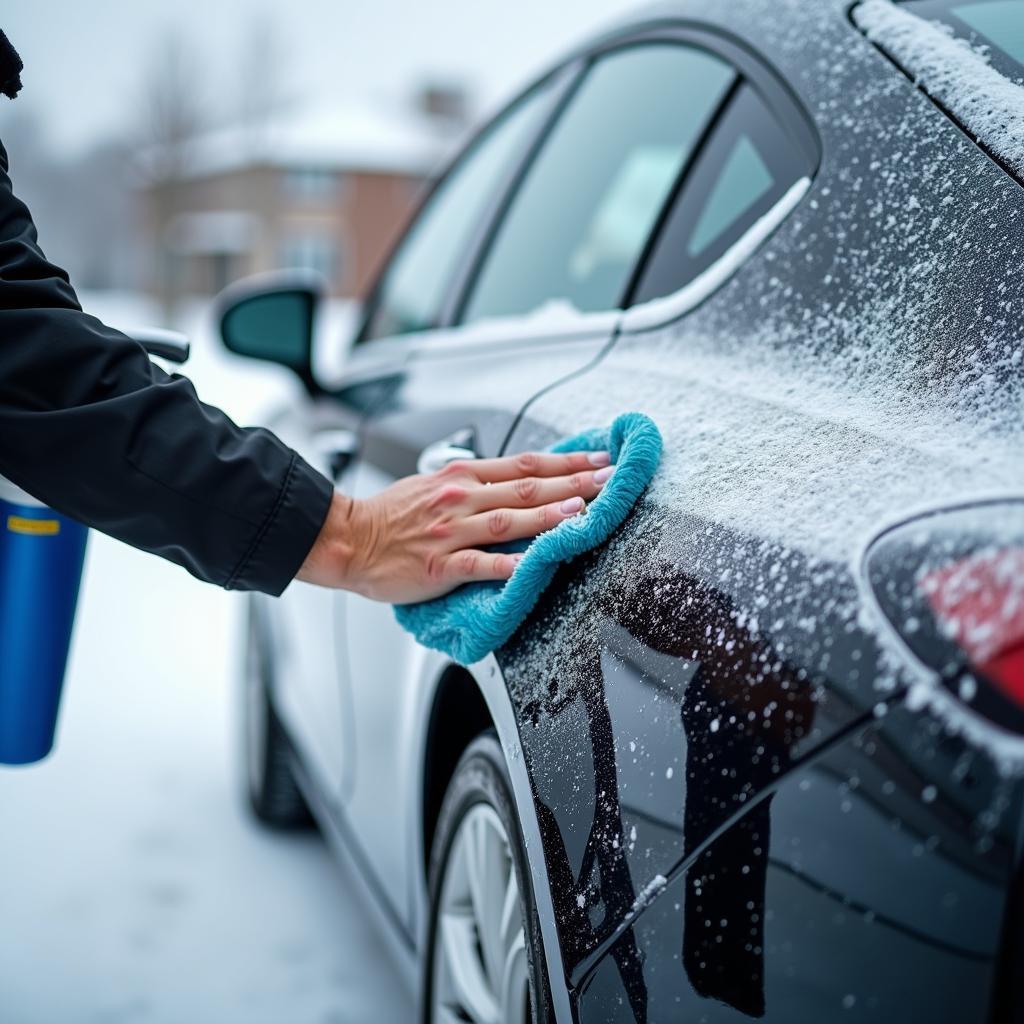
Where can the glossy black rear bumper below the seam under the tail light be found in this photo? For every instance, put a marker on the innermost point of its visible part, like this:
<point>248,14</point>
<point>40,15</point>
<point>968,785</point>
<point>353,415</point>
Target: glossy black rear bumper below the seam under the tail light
<point>841,893</point>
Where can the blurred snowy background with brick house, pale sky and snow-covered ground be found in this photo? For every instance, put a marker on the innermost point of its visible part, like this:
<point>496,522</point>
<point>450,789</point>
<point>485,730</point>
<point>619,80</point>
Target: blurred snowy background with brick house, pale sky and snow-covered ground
<point>167,149</point>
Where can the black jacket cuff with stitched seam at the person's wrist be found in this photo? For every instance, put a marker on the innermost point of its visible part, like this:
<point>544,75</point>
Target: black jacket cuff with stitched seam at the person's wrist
<point>283,542</point>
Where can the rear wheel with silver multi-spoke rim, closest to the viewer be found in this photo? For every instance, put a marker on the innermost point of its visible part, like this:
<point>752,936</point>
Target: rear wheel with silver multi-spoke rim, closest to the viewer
<point>473,943</point>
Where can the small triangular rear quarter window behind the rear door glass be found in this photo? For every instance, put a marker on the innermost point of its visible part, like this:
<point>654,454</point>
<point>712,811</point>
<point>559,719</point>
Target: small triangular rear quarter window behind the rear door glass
<point>746,166</point>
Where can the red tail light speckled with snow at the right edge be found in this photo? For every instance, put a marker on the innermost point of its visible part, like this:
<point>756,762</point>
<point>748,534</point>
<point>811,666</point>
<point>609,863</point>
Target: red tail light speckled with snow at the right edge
<point>952,585</point>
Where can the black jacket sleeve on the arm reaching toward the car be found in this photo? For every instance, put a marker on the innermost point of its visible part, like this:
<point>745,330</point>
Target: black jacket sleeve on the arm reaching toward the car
<point>92,428</point>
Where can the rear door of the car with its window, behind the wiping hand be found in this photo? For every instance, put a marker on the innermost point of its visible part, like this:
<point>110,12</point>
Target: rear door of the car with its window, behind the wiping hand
<point>542,304</point>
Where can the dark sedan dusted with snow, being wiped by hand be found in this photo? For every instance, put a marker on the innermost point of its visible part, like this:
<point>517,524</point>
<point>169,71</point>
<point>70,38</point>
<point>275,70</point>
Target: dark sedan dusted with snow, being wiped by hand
<point>759,755</point>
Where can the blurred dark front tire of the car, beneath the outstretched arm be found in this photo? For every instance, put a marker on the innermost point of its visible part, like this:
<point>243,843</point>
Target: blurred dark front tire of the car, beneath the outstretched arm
<point>273,793</point>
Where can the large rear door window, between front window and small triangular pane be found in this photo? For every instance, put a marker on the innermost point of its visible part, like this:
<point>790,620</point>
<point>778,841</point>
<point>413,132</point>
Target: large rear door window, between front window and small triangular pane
<point>577,227</point>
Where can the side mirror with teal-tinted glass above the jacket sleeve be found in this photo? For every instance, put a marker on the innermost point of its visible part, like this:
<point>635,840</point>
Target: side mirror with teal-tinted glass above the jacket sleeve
<point>272,317</point>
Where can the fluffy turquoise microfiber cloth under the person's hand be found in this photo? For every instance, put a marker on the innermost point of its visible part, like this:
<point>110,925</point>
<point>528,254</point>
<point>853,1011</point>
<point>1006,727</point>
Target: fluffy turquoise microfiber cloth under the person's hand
<point>479,618</point>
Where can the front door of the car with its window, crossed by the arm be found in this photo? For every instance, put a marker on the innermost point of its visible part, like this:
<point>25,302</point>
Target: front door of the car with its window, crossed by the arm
<point>409,301</point>
